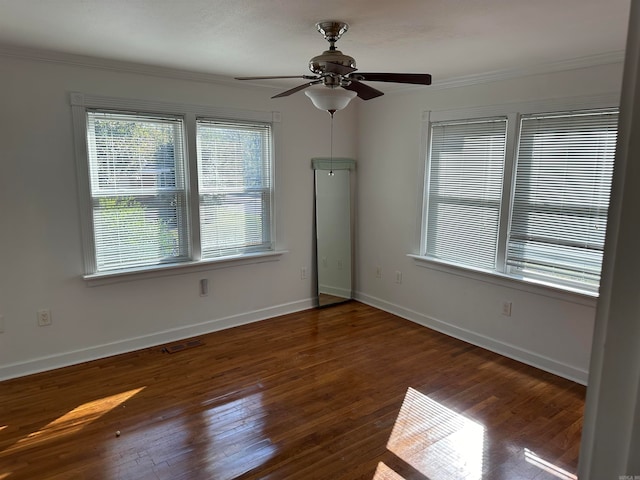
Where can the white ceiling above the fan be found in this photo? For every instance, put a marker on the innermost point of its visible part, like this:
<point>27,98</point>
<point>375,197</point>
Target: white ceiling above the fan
<point>448,38</point>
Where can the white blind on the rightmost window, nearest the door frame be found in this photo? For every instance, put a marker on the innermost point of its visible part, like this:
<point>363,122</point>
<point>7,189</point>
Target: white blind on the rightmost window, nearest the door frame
<point>563,180</point>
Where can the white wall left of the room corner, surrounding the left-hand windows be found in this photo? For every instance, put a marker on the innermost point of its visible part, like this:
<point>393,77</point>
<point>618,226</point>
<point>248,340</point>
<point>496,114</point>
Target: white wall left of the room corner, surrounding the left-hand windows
<point>40,242</point>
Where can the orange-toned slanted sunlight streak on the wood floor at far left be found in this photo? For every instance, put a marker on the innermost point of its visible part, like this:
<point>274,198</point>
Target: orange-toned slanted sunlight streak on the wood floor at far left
<point>75,420</point>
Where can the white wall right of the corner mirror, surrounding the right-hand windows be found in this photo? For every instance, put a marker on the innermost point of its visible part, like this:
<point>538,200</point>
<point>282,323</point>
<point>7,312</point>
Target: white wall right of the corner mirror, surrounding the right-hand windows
<point>551,331</point>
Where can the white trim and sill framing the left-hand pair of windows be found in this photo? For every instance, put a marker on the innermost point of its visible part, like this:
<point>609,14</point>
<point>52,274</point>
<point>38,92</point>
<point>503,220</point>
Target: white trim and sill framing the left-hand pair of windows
<point>81,102</point>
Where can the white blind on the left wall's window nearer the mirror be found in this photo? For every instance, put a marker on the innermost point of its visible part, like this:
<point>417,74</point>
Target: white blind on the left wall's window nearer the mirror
<point>234,171</point>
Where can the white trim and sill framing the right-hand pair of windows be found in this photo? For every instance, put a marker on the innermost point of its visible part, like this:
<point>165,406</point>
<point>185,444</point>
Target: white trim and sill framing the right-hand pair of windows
<point>513,112</point>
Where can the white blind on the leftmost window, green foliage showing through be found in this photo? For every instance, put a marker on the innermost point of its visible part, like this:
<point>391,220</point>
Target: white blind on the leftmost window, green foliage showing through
<point>137,187</point>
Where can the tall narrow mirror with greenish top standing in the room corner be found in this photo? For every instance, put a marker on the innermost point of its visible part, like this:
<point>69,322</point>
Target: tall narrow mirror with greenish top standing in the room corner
<point>333,206</point>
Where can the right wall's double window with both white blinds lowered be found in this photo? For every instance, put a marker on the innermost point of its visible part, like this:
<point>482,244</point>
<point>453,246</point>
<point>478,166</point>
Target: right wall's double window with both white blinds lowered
<point>536,211</point>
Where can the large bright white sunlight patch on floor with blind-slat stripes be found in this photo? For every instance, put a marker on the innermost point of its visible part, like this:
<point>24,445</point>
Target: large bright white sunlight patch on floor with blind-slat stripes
<point>436,441</point>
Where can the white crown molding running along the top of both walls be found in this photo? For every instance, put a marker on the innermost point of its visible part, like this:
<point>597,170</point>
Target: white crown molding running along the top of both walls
<point>615,57</point>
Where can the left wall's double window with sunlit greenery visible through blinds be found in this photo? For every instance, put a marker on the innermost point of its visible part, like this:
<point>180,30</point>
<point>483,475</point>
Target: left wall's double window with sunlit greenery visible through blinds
<point>167,189</point>
